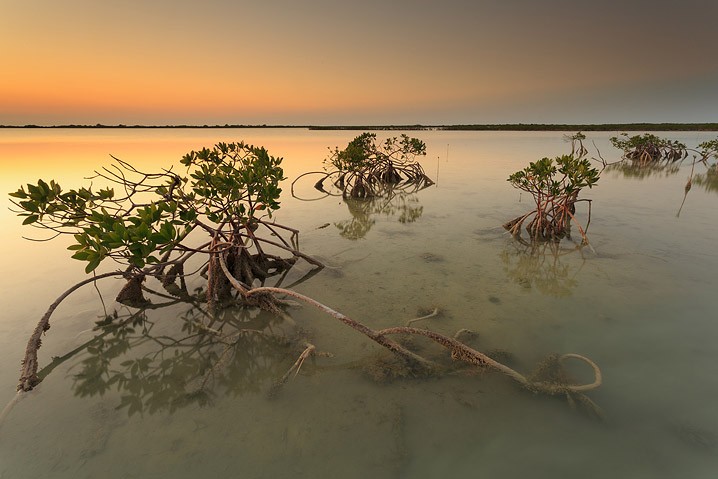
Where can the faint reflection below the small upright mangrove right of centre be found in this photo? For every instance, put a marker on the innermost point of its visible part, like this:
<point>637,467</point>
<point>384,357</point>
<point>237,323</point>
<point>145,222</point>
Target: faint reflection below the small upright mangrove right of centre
<point>543,266</point>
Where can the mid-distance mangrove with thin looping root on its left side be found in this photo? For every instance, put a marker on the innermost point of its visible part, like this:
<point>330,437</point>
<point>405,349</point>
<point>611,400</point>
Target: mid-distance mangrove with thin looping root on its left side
<point>364,169</point>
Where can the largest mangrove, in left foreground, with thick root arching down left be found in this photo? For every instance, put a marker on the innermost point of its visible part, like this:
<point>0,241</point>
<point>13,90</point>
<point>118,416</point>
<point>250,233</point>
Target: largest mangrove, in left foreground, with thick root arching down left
<point>151,227</point>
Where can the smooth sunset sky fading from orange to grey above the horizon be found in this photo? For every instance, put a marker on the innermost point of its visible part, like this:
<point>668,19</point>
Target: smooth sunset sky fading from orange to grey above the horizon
<point>368,62</point>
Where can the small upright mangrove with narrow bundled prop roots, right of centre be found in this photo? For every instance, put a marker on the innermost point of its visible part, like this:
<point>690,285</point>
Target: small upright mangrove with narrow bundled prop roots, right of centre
<point>554,185</point>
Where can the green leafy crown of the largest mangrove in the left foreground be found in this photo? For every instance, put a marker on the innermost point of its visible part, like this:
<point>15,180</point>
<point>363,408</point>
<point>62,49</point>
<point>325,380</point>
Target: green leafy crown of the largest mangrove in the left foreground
<point>229,184</point>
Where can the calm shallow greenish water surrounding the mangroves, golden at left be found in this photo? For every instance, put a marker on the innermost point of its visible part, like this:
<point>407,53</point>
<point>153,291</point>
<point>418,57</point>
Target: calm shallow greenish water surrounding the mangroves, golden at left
<point>642,305</point>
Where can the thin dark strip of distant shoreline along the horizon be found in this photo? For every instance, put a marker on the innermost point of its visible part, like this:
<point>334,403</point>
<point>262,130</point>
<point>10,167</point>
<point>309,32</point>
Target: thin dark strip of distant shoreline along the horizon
<point>467,127</point>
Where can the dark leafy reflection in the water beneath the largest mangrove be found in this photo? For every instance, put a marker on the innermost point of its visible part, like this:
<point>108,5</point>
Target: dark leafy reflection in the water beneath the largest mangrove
<point>155,368</point>
